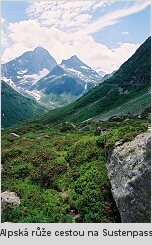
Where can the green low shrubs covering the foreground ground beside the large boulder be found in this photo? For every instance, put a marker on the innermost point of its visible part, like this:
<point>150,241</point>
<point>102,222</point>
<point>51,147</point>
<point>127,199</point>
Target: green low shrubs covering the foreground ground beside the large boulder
<point>74,172</point>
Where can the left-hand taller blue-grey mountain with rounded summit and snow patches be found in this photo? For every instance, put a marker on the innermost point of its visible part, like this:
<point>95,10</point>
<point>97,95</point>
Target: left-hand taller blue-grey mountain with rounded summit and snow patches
<point>25,70</point>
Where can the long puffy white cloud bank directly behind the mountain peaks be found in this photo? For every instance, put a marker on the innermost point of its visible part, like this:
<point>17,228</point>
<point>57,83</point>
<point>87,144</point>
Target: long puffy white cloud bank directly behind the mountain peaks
<point>63,45</point>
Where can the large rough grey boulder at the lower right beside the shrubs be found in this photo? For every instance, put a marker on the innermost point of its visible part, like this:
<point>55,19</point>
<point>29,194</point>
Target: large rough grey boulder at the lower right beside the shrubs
<point>129,171</point>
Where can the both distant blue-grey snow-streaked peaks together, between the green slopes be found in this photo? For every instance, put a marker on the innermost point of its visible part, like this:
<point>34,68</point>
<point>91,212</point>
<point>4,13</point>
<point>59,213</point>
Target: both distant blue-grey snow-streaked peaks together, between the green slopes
<point>37,74</point>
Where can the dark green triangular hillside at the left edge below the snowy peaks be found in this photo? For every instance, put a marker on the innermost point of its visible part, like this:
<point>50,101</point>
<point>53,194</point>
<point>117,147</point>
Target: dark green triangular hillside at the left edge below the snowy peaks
<point>15,107</point>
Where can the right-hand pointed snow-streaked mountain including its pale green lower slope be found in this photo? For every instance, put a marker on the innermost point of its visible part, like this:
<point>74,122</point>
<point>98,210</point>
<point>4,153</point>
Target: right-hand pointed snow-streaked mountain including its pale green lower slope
<point>67,82</point>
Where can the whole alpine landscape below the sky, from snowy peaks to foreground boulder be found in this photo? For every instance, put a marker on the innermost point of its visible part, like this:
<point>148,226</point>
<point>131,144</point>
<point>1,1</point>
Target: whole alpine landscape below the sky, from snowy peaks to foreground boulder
<point>83,152</point>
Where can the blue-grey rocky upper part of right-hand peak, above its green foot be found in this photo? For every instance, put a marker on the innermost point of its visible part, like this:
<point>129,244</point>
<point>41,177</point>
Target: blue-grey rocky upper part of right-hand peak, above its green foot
<point>66,74</point>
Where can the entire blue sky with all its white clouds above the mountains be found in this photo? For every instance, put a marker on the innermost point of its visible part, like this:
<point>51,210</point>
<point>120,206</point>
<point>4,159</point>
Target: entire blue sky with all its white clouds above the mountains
<point>103,34</point>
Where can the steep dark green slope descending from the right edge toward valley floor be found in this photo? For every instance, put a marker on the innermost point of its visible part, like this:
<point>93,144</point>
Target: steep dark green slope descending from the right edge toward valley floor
<point>126,93</point>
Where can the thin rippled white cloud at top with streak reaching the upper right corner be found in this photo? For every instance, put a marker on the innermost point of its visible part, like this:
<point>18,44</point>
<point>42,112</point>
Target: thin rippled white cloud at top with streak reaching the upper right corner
<point>76,15</point>
